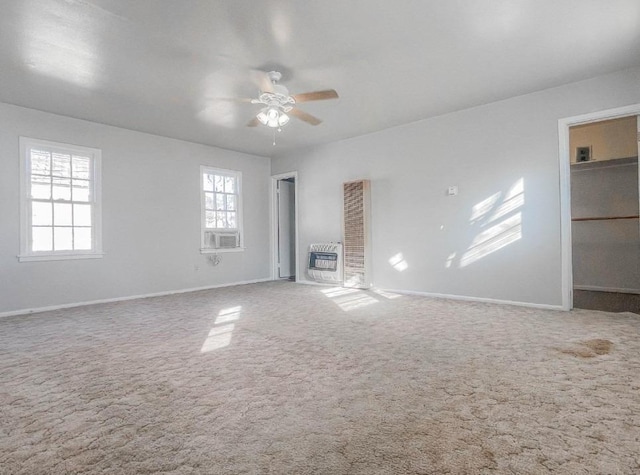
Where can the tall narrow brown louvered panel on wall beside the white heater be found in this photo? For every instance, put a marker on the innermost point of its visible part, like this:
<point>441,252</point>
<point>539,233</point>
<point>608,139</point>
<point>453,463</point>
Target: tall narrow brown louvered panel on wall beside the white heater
<point>357,237</point>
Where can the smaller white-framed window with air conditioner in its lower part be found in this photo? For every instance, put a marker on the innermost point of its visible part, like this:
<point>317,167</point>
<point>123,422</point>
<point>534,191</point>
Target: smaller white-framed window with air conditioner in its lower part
<point>221,210</point>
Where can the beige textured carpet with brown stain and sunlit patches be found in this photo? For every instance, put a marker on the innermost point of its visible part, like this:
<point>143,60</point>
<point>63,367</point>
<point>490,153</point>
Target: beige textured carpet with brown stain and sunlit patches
<point>291,379</point>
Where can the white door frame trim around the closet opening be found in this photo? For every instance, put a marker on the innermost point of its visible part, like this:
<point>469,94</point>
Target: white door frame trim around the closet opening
<point>564,156</point>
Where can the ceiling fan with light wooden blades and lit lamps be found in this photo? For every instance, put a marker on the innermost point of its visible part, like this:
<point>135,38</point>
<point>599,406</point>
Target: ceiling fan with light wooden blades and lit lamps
<point>279,104</point>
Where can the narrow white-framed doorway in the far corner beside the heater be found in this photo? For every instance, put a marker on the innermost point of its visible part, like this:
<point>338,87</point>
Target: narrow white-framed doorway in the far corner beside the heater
<point>285,235</point>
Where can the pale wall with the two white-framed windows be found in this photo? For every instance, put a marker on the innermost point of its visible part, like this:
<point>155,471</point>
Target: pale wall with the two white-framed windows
<point>151,216</point>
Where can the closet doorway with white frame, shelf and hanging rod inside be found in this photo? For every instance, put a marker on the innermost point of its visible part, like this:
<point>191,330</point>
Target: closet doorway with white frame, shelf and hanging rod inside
<point>600,215</point>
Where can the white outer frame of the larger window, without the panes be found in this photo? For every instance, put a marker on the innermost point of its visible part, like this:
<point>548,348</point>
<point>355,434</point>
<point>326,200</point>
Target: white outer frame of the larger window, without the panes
<point>26,254</point>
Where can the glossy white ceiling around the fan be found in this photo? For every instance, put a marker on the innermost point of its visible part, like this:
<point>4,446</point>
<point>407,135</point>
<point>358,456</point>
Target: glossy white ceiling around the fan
<point>158,66</point>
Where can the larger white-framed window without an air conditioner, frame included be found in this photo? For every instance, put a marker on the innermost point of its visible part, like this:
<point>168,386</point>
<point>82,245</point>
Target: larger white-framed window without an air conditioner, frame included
<point>60,201</point>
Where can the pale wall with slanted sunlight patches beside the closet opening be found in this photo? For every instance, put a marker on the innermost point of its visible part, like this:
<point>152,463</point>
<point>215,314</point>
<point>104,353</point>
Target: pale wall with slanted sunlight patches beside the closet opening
<point>489,152</point>
